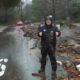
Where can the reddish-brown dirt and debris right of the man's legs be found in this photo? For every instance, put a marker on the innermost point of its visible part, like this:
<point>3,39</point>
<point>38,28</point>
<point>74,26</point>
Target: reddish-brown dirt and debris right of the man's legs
<point>72,66</point>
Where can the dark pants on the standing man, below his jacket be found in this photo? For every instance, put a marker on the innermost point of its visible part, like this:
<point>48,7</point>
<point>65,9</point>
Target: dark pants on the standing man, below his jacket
<point>50,51</point>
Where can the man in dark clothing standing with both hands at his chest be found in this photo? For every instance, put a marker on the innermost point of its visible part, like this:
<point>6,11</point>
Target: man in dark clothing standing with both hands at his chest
<point>48,34</point>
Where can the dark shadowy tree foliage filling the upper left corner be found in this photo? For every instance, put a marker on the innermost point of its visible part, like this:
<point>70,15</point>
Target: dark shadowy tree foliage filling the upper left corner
<point>7,8</point>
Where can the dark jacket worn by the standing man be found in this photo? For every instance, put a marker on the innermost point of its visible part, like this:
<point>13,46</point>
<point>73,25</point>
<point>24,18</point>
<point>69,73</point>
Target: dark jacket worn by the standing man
<point>48,35</point>
